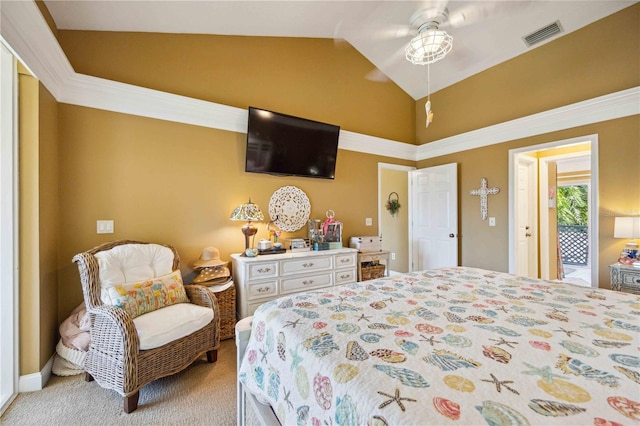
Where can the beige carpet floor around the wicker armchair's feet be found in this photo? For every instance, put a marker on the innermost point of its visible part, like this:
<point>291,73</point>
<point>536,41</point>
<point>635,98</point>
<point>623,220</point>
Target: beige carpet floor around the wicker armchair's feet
<point>202,394</point>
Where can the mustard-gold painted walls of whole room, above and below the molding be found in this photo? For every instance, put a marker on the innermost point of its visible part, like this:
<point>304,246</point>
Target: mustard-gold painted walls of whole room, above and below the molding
<point>175,183</point>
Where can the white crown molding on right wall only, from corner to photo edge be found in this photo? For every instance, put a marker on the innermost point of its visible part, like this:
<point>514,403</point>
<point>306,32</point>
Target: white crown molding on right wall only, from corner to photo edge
<point>607,107</point>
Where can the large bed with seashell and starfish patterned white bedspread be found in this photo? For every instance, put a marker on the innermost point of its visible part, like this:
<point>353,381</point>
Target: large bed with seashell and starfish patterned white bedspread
<point>445,346</point>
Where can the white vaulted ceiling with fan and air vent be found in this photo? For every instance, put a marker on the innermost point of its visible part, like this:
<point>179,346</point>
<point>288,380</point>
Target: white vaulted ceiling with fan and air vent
<point>485,33</point>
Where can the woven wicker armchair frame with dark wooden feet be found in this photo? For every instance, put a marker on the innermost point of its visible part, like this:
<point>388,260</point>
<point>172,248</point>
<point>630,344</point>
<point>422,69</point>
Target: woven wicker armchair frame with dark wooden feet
<point>115,359</point>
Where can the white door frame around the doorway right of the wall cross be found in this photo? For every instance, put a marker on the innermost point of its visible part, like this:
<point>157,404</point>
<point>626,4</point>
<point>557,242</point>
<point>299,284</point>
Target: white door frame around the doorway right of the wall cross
<point>593,216</point>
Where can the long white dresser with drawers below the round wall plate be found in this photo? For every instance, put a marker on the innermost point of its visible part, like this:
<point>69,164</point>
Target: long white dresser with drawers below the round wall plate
<point>263,278</point>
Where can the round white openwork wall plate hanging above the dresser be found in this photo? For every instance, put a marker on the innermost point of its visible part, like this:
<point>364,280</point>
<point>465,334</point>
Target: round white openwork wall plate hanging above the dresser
<point>289,208</point>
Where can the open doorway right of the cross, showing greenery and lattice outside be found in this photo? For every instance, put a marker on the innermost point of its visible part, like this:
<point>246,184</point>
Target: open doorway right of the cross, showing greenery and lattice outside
<point>560,164</point>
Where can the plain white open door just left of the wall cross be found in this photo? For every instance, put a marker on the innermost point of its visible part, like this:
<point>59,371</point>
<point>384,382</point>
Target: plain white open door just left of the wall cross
<point>434,217</point>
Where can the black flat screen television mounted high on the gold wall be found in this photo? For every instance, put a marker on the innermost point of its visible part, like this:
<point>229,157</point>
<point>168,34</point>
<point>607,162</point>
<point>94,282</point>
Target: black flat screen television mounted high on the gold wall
<point>285,145</point>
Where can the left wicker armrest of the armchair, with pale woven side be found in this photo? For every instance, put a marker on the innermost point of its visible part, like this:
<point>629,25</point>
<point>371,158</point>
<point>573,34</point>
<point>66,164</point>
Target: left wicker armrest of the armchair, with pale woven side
<point>108,321</point>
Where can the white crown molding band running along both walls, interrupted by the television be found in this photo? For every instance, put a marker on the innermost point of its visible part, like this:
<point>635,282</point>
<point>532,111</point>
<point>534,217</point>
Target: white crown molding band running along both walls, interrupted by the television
<point>26,33</point>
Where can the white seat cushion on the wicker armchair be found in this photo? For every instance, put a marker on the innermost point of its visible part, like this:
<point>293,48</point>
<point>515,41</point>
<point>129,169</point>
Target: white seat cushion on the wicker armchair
<point>165,325</point>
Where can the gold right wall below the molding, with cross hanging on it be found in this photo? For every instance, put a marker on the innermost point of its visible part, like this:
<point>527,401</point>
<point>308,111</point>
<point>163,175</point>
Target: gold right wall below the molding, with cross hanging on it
<point>619,155</point>
